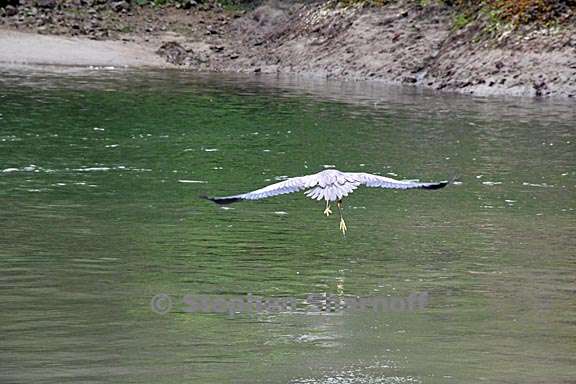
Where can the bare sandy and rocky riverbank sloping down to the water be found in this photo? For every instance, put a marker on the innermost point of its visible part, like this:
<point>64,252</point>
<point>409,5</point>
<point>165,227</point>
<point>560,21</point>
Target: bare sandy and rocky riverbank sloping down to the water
<point>400,43</point>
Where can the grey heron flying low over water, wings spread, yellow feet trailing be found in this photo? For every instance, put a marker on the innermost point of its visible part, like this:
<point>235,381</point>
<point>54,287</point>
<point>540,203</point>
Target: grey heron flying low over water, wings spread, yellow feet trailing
<point>330,185</point>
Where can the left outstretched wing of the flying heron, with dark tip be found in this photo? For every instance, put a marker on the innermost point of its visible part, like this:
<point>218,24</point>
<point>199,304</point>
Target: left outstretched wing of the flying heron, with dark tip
<point>293,184</point>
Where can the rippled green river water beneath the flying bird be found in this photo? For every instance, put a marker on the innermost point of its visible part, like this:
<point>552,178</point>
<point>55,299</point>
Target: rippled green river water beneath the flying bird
<point>100,174</point>
